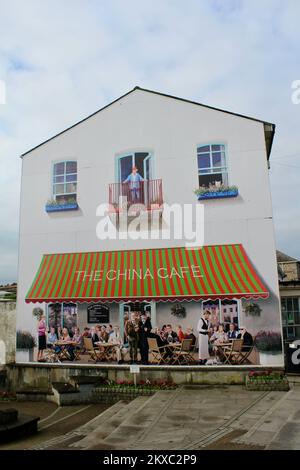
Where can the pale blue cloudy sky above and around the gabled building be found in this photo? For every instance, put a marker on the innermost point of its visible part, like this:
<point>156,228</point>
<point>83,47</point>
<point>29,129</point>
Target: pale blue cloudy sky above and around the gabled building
<point>61,60</point>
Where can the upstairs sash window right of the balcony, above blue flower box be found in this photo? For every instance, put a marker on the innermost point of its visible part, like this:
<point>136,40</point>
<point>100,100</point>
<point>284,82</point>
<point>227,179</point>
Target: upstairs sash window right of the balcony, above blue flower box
<point>212,168</point>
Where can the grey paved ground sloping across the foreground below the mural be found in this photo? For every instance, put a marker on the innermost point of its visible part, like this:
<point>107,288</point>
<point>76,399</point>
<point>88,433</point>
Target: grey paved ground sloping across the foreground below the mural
<point>190,417</point>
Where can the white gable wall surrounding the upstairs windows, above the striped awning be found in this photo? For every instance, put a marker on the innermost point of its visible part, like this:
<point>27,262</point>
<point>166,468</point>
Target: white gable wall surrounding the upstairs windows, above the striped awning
<point>171,129</point>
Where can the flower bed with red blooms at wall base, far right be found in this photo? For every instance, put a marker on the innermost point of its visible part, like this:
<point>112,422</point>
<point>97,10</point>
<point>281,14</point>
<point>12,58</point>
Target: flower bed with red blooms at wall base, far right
<point>267,380</point>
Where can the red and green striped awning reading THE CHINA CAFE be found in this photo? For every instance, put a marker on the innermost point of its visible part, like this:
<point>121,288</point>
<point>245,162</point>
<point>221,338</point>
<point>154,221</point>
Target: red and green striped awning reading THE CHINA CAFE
<point>220,271</point>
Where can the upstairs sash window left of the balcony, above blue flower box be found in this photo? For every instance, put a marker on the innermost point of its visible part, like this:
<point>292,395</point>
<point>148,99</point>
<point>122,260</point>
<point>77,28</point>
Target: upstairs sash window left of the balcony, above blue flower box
<point>65,181</point>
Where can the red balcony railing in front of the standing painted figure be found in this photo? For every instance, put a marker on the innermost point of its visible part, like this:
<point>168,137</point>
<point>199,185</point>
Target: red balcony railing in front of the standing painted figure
<point>147,194</point>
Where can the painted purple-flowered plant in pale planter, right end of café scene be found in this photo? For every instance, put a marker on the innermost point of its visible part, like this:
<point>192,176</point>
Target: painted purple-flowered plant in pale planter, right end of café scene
<point>269,346</point>
